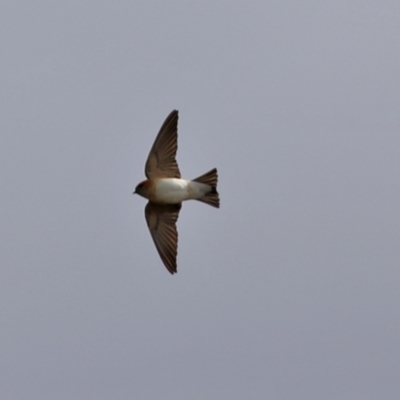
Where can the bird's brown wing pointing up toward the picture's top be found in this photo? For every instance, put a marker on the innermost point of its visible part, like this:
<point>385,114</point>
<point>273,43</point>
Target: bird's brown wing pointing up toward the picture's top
<point>161,162</point>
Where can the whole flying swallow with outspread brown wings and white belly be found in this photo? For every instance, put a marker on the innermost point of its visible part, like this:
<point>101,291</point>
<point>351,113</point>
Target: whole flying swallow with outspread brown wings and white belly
<point>165,191</point>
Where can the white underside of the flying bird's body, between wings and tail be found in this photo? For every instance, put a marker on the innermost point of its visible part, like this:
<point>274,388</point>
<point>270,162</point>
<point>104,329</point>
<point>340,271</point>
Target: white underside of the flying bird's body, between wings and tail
<point>174,190</point>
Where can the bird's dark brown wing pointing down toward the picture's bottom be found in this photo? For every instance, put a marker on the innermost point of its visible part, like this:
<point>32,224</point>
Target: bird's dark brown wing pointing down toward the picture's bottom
<point>161,220</point>
